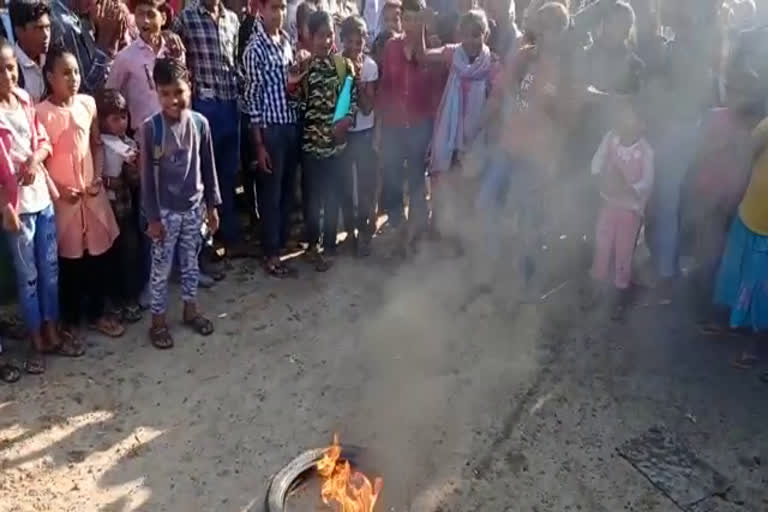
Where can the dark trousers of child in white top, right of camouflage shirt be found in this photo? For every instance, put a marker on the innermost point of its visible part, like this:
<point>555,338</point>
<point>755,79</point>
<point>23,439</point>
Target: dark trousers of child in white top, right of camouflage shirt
<point>359,158</point>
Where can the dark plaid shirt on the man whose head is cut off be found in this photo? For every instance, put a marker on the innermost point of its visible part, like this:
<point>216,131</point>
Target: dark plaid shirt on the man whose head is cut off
<point>211,49</point>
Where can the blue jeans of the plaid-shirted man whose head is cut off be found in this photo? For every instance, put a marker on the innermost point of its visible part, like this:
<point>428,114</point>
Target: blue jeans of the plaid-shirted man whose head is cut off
<point>224,118</point>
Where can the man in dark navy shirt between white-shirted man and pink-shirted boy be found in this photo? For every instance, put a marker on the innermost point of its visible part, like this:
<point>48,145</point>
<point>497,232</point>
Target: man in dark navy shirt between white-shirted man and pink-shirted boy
<point>72,29</point>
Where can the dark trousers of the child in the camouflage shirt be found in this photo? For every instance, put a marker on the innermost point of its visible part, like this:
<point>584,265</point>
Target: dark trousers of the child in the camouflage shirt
<point>323,179</point>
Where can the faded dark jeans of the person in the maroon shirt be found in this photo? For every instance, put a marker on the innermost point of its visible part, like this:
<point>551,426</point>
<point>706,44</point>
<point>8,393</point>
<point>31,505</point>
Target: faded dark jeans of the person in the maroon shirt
<point>403,154</point>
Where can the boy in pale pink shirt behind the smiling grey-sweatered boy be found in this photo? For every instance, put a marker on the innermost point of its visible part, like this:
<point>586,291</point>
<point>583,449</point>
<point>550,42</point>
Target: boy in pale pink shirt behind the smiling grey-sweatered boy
<point>131,73</point>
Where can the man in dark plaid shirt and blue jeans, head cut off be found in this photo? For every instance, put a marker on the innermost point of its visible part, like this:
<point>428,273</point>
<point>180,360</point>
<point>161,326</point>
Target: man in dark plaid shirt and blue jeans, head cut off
<point>209,32</point>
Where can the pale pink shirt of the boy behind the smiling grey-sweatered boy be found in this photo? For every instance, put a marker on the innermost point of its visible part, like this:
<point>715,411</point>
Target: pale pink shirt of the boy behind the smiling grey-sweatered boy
<point>132,75</point>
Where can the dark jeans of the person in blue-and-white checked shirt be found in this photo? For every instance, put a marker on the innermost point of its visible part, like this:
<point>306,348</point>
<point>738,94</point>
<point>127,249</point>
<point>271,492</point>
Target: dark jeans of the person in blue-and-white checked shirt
<point>276,190</point>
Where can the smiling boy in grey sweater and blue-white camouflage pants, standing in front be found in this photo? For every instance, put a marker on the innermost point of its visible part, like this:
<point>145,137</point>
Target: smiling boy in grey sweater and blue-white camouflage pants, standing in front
<point>178,188</point>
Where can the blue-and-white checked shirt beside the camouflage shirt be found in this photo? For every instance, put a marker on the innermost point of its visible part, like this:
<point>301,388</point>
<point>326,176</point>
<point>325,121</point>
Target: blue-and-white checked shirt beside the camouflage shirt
<point>265,66</point>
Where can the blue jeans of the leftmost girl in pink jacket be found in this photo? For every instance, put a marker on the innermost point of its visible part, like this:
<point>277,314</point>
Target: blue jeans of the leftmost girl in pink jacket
<point>35,257</point>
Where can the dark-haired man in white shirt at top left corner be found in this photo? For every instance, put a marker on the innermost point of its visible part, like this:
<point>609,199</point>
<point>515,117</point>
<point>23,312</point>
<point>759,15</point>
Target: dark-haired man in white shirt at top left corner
<point>32,24</point>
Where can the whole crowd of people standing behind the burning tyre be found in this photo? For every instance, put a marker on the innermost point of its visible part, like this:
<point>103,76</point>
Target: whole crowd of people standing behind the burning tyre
<point>127,129</point>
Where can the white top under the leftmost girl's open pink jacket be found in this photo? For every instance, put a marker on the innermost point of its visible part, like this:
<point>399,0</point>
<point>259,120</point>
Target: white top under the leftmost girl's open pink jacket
<point>33,198</point>
